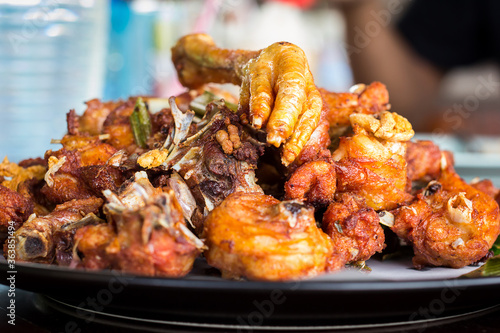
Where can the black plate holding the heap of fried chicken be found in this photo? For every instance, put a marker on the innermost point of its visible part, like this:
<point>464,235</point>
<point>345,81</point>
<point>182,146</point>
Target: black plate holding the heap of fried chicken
<point>203,297</point>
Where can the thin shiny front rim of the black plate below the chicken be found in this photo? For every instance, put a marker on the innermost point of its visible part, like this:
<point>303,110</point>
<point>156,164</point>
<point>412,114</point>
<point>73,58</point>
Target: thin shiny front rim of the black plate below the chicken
<point>103,276</point>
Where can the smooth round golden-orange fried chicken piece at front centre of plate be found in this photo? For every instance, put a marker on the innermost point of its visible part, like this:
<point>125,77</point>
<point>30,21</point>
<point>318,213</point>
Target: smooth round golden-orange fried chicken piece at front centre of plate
<point>255,236</point>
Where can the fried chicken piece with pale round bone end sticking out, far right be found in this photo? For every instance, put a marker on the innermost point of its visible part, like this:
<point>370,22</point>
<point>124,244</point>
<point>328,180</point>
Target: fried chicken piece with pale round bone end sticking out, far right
<point>449,224</point>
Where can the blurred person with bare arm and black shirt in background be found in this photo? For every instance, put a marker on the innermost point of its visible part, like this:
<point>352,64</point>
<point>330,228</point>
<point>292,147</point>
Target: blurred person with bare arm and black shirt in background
<point>411,45</point>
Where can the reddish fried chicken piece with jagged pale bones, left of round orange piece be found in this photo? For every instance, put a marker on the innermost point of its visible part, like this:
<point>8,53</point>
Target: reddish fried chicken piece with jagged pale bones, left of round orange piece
<point>149,237</point>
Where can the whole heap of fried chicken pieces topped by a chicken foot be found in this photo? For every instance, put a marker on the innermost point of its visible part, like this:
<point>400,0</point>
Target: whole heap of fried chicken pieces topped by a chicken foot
<point>287,181</point>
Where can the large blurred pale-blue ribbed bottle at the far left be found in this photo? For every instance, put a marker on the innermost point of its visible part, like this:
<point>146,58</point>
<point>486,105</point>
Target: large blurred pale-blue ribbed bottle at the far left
<point>52,59</point>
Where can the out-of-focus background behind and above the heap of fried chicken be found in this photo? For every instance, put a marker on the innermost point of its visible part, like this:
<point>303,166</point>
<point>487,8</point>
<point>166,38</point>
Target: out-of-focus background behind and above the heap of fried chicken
<point>56,54</point>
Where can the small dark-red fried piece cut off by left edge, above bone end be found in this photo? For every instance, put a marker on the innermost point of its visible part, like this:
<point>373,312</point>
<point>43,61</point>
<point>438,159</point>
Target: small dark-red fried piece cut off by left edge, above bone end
<point>13,208</point>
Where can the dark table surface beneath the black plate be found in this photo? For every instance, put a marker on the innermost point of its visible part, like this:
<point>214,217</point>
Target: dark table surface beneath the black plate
<point>33,315</point>
